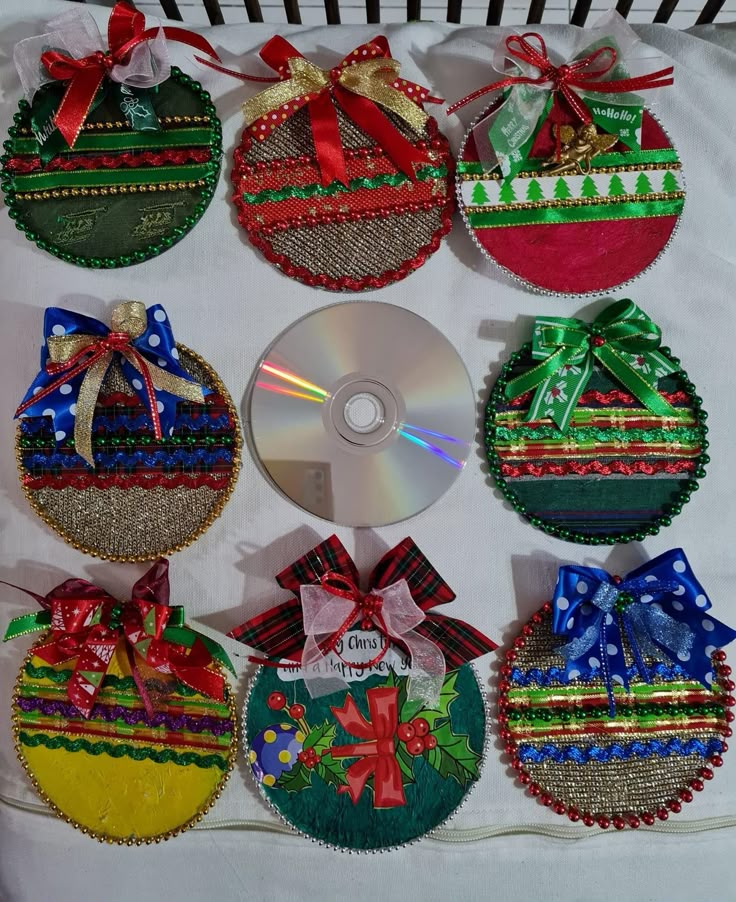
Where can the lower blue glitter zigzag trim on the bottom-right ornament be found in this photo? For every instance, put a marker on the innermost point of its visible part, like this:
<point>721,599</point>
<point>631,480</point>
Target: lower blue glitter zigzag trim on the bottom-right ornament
<point>582,755</point>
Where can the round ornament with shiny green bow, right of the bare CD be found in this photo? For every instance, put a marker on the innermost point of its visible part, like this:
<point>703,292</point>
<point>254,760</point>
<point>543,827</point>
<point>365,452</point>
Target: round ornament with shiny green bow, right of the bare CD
<point>593,431</point>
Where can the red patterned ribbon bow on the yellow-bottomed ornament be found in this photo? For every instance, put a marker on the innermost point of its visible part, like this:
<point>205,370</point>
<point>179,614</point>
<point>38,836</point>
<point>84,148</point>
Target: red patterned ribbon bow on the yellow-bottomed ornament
<point>87,623</point>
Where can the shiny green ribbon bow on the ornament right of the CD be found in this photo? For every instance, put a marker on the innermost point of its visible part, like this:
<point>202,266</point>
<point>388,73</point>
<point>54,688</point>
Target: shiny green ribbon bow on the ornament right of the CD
<point>622,339</point>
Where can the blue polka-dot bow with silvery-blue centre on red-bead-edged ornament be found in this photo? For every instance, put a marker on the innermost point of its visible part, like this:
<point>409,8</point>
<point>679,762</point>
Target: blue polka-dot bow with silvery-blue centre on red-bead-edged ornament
<point>659,609</point>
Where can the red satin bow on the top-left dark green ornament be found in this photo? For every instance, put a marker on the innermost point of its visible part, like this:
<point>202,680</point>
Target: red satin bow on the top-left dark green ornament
<point>125,30</point>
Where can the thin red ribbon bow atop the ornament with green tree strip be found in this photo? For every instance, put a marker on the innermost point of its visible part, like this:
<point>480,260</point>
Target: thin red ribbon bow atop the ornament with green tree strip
<point>583,74</point>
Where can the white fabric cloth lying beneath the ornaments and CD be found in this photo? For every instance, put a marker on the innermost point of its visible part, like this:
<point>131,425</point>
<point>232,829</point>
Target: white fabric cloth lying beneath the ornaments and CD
<point>228,304</point>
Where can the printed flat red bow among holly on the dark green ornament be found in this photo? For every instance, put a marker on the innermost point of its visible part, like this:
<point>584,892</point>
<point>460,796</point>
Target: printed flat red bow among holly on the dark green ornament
<point>377,754</point>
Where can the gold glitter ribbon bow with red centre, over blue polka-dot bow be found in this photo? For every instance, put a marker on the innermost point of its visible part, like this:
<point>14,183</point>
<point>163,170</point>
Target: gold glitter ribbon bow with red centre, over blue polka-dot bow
<point>71,354</point>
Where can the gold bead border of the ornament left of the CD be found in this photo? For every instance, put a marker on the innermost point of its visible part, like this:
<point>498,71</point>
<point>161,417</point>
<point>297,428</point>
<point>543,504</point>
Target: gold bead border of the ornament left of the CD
<point>225,493</point>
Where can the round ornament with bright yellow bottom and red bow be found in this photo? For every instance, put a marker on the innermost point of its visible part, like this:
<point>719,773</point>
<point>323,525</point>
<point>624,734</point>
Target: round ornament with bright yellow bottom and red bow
<point>122,717</point>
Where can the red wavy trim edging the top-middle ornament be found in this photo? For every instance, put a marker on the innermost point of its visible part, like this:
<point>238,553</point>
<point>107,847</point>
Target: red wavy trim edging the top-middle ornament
<point>348,283</point>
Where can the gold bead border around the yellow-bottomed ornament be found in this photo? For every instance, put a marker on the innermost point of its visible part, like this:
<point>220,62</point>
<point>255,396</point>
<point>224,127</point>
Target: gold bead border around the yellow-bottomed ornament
<point>103,837</point>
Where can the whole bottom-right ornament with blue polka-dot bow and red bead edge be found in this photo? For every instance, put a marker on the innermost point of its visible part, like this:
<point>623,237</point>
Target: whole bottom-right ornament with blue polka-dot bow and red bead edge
<point>615,699</point>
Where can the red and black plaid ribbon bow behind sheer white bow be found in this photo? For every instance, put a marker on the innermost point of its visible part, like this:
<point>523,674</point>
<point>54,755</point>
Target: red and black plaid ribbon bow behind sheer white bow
<point>278,632</point>
